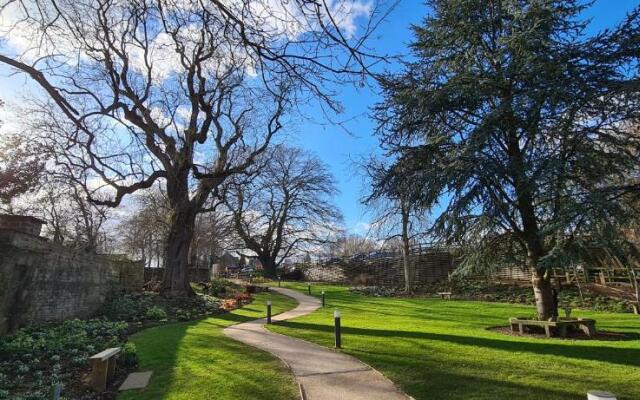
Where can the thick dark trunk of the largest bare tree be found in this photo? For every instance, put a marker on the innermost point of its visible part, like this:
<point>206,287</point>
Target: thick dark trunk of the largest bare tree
<point>175,281</point>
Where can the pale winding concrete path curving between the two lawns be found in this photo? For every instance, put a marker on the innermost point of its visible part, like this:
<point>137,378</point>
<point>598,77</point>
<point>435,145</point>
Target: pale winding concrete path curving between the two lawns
<point>323,374</point>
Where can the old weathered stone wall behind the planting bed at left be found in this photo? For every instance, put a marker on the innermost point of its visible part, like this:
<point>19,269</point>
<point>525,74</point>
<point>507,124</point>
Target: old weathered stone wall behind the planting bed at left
<point>41,282</point>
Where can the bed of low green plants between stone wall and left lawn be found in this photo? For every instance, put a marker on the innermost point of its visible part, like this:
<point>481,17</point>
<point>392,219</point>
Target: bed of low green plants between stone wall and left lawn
<point>35,359</point>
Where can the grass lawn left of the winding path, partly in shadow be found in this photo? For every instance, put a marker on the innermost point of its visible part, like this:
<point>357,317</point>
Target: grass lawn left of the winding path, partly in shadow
<point>194,360</point>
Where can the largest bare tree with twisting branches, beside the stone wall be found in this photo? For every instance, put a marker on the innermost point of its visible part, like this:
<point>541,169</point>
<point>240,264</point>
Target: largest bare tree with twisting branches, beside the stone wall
<point>188,93</point>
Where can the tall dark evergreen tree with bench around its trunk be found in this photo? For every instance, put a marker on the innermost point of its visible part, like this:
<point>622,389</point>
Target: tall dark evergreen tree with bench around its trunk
<point>517,123</point>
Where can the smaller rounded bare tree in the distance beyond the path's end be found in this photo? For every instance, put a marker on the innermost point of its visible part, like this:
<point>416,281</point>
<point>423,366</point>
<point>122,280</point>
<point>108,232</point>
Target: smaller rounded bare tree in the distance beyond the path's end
<point>285,207</point>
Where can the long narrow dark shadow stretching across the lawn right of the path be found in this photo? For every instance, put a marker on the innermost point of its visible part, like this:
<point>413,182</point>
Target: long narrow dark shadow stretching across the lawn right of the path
<point>615,355</point>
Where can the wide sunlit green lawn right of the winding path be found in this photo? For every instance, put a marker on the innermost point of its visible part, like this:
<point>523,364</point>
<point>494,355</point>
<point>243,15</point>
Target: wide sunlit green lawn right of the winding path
<point>435,349</point>
